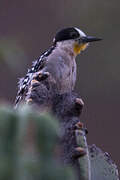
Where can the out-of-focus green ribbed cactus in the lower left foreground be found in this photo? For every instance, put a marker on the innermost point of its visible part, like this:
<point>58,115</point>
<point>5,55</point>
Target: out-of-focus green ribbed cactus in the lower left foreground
<point>27,142</point>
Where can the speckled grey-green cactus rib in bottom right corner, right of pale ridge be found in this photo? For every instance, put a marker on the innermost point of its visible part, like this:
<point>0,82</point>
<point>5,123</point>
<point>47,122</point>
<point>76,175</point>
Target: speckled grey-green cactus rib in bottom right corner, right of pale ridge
<point>102,167</point>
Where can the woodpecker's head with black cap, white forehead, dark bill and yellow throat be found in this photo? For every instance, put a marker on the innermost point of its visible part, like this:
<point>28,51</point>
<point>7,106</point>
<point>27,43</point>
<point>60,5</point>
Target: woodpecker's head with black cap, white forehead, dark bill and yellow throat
<point>75,37</point>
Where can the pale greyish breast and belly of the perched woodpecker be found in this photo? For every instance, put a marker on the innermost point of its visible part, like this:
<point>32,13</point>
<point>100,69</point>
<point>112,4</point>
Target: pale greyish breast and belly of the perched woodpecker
<point>62,68</point>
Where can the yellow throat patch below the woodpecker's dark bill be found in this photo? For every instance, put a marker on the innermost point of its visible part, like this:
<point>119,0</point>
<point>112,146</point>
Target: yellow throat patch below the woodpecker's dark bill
<point>78,48</point>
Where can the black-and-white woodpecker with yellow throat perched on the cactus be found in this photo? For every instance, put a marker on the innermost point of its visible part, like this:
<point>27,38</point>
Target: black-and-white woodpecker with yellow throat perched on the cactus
<point>59,61</point>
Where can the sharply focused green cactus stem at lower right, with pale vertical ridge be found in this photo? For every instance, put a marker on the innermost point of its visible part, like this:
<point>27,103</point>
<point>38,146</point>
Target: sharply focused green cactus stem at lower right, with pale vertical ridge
<point>95,165</point>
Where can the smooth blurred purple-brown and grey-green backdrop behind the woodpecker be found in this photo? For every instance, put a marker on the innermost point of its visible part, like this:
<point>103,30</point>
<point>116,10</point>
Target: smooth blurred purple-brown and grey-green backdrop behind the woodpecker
<point>27,28</point>
